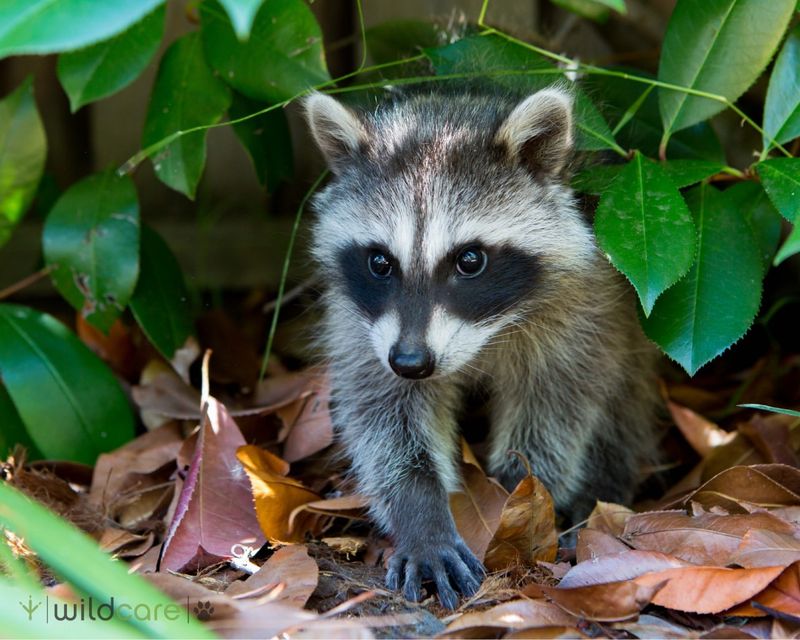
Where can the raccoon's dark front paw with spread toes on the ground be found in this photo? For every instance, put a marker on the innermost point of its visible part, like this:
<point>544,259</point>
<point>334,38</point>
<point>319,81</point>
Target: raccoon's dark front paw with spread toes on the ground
<point>450,564</point>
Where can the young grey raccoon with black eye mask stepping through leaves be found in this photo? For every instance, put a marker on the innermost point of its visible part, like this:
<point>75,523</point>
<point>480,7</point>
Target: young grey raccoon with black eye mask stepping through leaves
<point>454,257</point>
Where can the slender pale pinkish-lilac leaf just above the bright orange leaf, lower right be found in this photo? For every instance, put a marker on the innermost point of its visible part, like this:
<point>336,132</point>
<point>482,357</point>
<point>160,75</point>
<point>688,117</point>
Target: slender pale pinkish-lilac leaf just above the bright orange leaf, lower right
<point>618,568</point>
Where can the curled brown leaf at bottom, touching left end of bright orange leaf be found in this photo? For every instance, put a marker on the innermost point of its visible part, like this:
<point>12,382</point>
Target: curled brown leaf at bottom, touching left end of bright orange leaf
<point>608,602</point>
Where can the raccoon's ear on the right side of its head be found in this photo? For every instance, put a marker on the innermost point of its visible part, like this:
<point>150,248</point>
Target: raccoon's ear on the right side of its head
<point>538,132</point>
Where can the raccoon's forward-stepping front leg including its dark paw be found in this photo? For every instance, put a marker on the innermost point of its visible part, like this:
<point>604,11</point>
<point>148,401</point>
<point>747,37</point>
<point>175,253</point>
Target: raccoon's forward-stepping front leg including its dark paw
<point>403,443</point>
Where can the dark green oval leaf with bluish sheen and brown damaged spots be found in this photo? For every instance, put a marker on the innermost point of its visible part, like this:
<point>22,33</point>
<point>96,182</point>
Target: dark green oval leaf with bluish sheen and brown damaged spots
<point>91,240</point>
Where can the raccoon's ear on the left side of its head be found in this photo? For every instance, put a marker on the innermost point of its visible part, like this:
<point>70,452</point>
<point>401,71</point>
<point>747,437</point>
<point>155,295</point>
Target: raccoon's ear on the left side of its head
<point>337,131</point>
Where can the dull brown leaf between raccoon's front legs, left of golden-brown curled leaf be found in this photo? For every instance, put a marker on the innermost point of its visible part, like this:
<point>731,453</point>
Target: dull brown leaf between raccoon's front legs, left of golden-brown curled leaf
<point>476,510</point>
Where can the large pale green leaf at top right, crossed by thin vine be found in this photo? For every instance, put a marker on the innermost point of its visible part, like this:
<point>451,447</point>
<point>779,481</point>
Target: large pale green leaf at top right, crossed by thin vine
<point>719,47</point>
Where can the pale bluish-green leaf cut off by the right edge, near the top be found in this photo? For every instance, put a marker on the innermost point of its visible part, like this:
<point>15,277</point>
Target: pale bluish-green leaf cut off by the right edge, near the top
<point>782,107</point>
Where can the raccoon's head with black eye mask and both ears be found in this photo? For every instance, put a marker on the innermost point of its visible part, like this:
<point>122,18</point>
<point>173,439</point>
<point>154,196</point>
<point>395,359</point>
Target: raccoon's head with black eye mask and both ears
<point>444,223</point>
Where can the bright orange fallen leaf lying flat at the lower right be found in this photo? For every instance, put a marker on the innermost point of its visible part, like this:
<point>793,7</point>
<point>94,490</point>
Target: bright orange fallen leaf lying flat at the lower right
<point>707,589</point>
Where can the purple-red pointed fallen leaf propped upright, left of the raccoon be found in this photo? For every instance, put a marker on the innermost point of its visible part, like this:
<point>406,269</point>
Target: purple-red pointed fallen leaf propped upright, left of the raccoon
<point>215,506</point>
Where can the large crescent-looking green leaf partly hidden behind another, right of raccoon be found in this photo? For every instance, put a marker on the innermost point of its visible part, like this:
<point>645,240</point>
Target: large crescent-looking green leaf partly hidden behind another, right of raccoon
<point>715,304</point>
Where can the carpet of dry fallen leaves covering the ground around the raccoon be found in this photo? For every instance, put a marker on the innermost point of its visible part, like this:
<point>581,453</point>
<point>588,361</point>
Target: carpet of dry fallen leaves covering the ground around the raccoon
<point>239,507</point>
